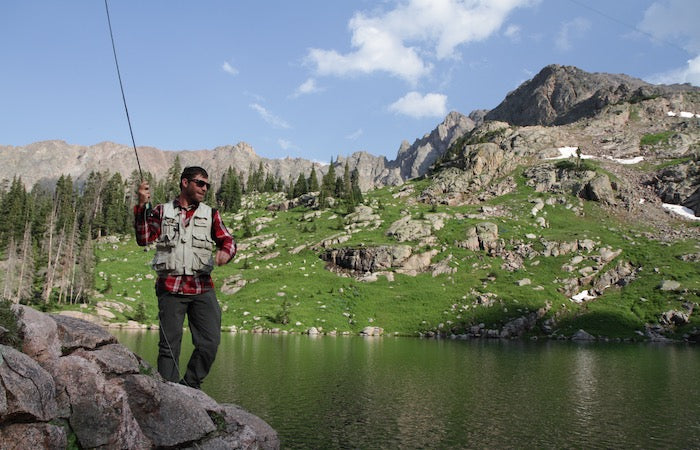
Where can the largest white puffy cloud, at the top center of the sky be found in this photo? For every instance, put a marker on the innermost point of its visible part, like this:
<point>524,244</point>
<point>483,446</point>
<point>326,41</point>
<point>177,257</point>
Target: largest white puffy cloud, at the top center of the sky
<point>400,40</point>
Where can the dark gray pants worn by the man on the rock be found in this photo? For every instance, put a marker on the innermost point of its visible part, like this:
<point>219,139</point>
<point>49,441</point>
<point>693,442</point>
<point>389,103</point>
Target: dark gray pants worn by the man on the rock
<point>204,318</point>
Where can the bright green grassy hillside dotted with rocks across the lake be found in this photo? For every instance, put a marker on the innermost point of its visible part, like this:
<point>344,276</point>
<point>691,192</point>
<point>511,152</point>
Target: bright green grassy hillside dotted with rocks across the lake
<point>287,287</point>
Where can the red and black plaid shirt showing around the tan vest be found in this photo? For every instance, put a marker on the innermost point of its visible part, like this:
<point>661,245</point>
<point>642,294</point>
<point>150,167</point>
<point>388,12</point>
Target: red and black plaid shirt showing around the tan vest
<point>148,230</point>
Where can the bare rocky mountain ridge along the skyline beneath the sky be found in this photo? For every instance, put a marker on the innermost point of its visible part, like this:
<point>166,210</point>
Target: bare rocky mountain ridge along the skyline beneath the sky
<point>571,107</point>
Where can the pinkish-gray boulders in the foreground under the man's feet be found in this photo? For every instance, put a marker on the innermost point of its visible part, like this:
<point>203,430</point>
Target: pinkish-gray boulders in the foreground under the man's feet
<point>73,379</point>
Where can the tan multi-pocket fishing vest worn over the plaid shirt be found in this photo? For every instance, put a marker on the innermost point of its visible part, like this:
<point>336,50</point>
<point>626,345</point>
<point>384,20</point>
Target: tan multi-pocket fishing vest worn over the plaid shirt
<point>184,250</point>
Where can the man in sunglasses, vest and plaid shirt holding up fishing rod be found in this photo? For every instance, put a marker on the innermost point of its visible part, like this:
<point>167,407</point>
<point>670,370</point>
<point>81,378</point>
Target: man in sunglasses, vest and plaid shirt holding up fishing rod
<point>185,231</point>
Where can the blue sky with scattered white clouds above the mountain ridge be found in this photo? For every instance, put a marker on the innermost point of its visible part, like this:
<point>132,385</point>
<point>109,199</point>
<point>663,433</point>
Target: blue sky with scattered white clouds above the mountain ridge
<point>312,78</point>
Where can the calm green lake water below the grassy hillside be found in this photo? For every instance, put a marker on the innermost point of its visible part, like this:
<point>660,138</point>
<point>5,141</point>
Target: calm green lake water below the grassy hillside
<point>354,392</point>
